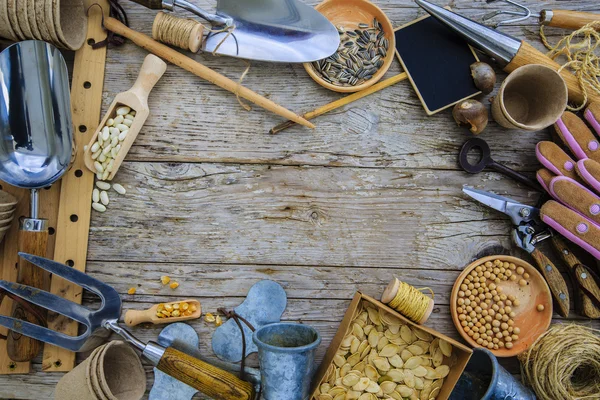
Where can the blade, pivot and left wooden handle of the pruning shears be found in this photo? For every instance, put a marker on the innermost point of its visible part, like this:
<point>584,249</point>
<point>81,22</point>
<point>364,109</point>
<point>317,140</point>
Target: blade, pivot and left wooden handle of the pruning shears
<point>528,231</point>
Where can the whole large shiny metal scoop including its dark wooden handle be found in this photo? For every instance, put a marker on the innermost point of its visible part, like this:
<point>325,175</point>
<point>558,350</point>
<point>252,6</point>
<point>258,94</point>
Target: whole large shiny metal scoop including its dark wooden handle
<point>35,151</point>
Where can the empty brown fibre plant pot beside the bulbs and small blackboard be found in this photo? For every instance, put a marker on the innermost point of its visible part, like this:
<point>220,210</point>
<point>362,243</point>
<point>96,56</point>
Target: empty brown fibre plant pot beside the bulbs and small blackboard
<point>531,98</point>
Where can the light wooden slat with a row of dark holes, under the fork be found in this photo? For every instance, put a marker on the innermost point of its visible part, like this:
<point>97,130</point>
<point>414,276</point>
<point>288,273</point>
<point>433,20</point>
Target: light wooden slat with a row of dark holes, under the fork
<point>77,184</point>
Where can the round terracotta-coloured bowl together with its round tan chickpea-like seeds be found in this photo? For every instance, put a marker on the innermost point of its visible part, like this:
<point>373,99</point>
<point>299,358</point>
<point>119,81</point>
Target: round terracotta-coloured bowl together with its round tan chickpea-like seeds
<point>511,279</point>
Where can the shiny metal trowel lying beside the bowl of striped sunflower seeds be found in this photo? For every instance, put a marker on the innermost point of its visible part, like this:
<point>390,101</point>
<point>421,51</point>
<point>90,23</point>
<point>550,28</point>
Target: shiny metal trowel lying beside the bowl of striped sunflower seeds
<point>265,30</point>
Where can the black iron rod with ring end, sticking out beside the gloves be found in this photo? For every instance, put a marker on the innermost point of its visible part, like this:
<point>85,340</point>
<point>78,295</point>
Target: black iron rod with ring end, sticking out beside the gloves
<point>487,162</point>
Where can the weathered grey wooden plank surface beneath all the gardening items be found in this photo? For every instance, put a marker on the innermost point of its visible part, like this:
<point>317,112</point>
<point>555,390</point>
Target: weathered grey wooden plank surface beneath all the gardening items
<point>217,204</point>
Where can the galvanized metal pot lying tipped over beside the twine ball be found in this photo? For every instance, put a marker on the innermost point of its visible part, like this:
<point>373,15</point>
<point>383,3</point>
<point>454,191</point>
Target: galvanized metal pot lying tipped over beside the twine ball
<point>483,378</point>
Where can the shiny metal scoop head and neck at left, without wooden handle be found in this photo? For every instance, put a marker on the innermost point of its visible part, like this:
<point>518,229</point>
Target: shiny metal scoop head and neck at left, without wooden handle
<point>35,117</point>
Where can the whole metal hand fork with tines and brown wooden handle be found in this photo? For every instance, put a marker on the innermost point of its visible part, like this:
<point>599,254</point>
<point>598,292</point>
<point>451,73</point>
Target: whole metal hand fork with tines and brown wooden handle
<point>100,323</point>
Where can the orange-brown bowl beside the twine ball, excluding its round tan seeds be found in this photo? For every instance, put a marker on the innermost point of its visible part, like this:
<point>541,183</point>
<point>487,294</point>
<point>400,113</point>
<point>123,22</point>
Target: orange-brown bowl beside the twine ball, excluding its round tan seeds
<point>531,322</point>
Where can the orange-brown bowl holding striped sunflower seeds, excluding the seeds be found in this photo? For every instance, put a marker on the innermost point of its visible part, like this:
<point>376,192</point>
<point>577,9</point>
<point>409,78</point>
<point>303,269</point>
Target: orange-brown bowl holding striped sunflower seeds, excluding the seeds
<point>349,13</point>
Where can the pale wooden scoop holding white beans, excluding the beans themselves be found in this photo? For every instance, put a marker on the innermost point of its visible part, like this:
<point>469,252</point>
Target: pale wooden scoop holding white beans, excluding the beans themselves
<point>135,98</point>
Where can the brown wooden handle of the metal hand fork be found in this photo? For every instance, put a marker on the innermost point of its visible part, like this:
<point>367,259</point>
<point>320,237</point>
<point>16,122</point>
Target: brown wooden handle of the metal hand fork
<point>209,380</point>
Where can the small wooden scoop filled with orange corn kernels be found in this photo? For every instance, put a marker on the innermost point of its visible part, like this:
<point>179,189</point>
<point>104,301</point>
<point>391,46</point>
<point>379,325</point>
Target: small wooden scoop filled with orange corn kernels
<point>165,313</point>
